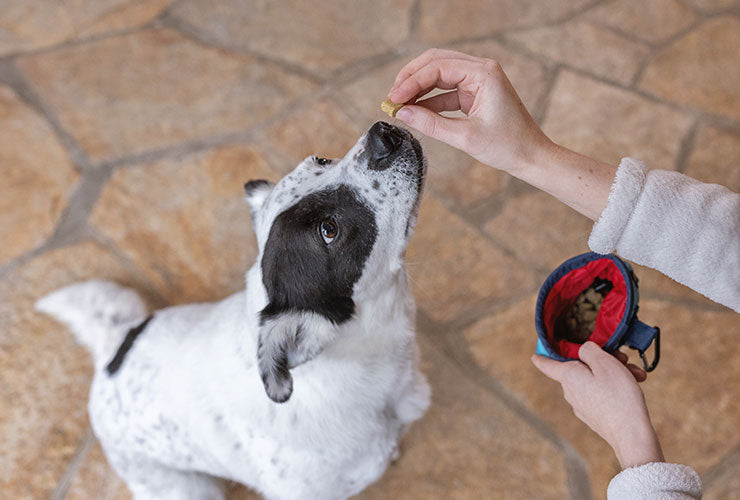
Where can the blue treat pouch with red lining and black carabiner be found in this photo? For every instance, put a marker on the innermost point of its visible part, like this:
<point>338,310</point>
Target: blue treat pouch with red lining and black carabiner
<point>616,322</point>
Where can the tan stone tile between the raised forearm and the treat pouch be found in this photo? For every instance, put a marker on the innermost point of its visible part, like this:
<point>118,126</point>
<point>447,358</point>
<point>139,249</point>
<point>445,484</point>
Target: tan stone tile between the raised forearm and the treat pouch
<point>540,230</point>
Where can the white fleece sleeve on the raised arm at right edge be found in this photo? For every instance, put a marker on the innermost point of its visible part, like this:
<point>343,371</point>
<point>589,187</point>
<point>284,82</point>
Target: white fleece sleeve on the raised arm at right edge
<point>686,229</point>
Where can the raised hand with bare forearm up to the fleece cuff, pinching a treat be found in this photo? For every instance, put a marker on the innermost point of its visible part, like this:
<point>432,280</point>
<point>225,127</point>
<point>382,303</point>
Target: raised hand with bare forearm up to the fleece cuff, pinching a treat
<point>498,130</point>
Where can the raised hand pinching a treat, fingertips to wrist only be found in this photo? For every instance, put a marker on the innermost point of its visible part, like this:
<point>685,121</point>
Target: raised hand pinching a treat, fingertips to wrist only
<point>498,130</point>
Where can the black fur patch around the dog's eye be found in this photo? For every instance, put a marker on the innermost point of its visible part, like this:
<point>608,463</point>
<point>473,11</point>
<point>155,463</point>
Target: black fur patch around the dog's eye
<point>301,272</point>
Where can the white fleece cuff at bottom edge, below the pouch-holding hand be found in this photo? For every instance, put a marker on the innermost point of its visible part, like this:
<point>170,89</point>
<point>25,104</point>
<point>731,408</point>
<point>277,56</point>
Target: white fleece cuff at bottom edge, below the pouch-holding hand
<point>655,481</point>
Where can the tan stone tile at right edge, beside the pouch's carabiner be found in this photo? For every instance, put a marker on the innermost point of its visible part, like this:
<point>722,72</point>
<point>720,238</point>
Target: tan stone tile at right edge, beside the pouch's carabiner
<point>696,416</point>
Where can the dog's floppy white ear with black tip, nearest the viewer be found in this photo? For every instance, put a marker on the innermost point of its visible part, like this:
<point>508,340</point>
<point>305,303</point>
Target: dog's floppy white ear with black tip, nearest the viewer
<point>285,341</point>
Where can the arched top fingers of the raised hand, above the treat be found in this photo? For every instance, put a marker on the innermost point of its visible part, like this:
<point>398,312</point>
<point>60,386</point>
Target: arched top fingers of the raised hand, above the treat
<point>441,73</point>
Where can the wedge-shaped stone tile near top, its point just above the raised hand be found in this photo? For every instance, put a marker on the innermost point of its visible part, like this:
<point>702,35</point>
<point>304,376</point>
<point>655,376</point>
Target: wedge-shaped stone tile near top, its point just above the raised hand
<point>586,46</point>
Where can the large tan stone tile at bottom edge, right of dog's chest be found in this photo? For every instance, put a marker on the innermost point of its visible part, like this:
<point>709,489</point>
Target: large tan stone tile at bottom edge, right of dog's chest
<point>469,445</point>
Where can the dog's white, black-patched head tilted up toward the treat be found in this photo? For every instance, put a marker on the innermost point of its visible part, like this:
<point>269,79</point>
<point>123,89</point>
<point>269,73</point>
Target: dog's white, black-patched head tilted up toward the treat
<point>331,233</point>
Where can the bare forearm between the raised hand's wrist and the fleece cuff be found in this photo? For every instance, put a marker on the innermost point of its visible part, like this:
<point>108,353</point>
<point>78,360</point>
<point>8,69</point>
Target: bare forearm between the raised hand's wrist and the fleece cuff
<point>580,182</point>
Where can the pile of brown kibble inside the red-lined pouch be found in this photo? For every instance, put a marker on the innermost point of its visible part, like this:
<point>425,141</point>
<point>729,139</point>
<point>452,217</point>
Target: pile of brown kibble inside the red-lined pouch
<point>579,321</point>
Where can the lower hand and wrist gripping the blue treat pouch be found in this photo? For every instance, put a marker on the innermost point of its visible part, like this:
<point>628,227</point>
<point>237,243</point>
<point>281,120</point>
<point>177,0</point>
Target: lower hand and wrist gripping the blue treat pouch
<point>603,391</point>
